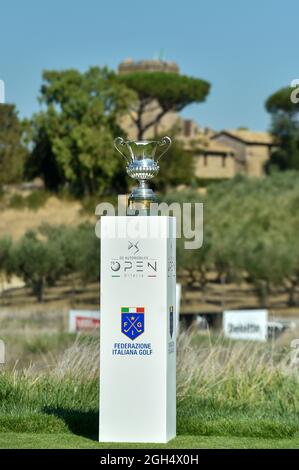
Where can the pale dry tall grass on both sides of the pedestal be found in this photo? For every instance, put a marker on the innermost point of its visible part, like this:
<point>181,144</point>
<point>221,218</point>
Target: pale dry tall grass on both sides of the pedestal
<point>214,369</point>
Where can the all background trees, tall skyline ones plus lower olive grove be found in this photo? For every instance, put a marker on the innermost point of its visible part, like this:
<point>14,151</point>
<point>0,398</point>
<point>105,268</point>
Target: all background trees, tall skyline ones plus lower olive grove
<point>251,226</point>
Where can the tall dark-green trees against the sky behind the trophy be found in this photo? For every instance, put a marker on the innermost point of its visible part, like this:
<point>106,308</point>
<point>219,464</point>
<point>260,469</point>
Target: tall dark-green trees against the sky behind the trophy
<point>69,141</point>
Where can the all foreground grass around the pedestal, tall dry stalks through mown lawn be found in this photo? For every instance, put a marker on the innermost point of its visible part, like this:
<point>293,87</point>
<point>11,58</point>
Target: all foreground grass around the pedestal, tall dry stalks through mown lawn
<point>229,395</point>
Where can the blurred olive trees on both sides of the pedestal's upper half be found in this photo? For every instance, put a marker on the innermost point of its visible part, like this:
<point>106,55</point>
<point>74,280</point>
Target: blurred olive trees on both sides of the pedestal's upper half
<point>250,234</point>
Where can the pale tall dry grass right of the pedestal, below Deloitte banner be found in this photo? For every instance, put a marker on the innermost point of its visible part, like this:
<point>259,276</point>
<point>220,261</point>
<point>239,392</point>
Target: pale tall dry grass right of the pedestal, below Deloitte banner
<point>230,371</point>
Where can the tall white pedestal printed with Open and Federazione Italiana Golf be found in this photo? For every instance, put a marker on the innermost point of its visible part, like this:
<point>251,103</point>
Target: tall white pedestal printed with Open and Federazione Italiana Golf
<point>138,329</point>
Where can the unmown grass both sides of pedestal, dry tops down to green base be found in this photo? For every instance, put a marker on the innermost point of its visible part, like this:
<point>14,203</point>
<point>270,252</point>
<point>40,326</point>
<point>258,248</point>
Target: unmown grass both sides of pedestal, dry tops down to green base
<point>223,388</point>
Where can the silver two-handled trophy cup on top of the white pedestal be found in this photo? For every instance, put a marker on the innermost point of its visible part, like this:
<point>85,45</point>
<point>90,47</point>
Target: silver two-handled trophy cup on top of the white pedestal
<point>142,159</point>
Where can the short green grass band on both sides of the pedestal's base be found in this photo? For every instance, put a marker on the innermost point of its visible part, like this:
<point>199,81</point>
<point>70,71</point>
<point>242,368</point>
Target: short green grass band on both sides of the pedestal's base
<point>53,407</point>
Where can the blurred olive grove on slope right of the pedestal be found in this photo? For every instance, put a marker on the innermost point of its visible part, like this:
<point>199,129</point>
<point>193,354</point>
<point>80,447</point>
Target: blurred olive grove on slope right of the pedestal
<point>251,231</point>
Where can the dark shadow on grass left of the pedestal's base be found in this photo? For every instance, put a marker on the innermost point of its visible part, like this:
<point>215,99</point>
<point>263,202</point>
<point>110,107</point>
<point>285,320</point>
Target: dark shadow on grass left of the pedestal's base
<point>81,423</point>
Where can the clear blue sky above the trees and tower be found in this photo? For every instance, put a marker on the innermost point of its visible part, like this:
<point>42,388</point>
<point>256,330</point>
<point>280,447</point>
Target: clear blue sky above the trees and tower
<point>245,49</point>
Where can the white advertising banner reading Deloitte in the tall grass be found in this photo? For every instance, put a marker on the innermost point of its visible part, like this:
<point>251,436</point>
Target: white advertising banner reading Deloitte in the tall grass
<point>246,324</point>
